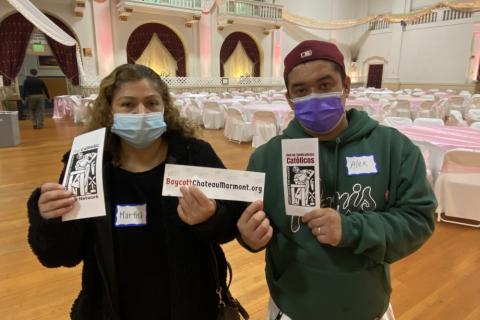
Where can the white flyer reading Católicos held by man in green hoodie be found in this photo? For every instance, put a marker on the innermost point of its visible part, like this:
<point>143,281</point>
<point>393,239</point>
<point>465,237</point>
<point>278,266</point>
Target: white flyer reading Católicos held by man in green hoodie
<point>301,175</point>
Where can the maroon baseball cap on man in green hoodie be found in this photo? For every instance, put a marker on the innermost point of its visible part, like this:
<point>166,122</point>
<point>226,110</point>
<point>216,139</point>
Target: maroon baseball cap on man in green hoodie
<point>310,50</point>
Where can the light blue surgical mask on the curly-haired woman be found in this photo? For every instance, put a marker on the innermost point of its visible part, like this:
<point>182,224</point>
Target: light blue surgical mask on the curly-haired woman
<point>139,130</point>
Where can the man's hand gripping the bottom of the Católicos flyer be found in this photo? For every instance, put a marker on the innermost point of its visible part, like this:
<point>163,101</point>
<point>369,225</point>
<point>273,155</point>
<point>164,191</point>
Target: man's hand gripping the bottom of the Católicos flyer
<point>325,224</point>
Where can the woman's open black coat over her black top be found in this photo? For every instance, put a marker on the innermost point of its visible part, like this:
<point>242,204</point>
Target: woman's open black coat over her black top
<point>190,261</point>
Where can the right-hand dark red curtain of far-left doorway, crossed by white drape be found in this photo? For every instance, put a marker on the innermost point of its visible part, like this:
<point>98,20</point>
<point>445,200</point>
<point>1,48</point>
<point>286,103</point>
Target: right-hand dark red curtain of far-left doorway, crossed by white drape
<point>65,55</point>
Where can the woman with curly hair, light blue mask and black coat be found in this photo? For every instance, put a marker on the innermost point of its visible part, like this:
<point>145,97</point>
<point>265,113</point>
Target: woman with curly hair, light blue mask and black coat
<point>161,269</point>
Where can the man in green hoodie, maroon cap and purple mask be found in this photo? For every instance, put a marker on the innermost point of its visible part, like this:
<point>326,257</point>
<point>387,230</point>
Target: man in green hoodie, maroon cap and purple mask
<point>376,204</point>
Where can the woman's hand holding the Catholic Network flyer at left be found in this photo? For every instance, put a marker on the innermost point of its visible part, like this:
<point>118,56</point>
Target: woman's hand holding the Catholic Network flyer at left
<point>55,201</point>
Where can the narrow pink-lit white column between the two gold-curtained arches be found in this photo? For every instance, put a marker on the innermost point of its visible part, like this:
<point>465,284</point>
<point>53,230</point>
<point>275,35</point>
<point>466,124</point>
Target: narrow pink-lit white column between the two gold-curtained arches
<point>205,38</point>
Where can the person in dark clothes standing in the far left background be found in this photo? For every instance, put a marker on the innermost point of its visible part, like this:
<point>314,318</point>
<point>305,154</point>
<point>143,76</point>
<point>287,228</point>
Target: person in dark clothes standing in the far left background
<point>34,92</point>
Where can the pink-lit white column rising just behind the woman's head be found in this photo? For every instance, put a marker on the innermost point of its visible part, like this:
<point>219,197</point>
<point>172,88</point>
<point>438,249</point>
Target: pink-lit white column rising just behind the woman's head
<point>103,37</point>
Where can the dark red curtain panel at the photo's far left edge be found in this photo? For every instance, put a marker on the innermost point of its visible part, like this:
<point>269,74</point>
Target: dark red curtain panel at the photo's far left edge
<point>15,32</point>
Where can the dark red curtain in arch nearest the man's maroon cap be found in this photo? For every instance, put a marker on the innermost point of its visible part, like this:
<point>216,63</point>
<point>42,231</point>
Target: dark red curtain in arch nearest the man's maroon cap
<point>250,46</point>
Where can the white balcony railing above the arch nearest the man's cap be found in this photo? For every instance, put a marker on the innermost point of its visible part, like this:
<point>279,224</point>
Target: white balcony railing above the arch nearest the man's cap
<point>251,9</point>
